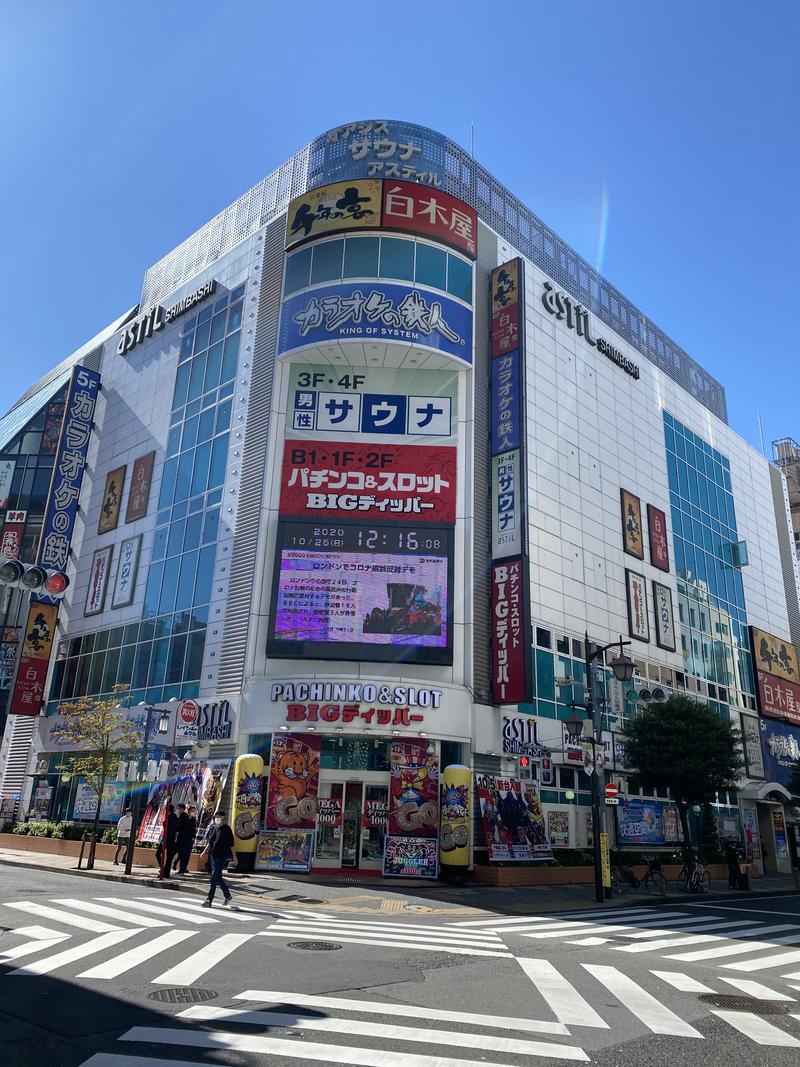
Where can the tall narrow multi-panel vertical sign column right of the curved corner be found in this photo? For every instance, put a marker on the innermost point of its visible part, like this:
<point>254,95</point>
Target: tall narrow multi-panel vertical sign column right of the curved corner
<point>510,600</point>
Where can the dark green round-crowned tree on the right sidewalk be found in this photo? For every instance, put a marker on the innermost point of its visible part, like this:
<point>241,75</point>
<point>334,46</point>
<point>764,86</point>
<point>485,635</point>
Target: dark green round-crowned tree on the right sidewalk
<point>684,747</point>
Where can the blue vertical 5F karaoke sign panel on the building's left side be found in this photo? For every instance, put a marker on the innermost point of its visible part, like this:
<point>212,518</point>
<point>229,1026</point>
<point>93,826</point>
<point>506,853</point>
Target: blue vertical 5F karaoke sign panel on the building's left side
<point>71,459</point>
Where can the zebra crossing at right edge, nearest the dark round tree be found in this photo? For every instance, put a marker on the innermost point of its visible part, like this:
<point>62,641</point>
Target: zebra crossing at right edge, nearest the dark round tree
<point>675,935</point>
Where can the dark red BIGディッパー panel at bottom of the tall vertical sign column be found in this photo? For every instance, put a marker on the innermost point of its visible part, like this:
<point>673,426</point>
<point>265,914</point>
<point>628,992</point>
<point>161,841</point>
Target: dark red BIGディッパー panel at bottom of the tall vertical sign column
<point>508,633</point>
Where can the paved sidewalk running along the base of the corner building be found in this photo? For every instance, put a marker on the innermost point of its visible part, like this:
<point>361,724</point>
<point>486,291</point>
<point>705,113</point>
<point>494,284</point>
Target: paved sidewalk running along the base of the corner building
<point>392,896</point>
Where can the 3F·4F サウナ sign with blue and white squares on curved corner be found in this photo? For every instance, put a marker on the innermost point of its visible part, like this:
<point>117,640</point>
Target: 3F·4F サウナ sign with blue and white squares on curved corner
<point>375,401</point>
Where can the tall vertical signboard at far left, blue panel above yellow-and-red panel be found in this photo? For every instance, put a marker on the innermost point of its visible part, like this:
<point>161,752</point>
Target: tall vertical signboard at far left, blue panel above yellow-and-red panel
<point>57,535</point>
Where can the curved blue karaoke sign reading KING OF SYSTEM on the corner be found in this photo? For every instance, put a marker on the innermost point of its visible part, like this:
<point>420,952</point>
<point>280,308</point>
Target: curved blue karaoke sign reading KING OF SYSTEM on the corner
<point>363,311</point>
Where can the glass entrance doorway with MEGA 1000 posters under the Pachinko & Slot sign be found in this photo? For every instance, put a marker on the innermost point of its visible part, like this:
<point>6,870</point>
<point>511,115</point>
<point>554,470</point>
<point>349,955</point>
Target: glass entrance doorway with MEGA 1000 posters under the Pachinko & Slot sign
<point>355,830</point>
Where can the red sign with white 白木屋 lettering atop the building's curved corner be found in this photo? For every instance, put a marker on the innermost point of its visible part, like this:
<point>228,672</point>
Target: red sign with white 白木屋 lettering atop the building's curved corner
<point>419,210</point>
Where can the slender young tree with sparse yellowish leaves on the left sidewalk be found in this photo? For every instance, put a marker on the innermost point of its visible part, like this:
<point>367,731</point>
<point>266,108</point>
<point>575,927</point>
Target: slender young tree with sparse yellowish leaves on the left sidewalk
<point>102,736</point>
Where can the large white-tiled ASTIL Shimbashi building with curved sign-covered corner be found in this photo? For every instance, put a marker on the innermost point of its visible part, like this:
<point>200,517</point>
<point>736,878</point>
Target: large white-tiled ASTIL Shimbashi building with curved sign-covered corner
<point>373,454</point>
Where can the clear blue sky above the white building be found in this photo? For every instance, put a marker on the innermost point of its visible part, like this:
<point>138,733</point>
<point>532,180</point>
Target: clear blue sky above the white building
<point>659,139</point>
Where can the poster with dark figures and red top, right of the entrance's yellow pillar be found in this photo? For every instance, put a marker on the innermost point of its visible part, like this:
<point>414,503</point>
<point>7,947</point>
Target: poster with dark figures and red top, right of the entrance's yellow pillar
<point>514,821</point>
